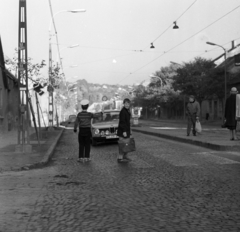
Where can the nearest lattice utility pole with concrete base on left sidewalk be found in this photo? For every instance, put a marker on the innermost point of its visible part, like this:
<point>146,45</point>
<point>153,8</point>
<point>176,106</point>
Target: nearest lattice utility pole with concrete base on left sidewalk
<point>23,111</point>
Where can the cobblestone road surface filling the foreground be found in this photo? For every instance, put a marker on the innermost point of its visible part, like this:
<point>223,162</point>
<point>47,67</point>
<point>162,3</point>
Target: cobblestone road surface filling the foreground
<point>167,187</point>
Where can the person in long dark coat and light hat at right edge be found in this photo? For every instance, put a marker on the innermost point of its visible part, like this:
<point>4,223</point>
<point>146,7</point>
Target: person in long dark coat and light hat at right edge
<point>230,113</point>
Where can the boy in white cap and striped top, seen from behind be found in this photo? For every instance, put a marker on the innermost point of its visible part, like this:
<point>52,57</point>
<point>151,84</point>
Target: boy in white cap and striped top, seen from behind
<point>83,122</point>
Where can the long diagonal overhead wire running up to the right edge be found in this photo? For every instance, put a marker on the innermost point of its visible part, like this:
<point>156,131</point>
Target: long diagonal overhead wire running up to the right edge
<point>182,42</point>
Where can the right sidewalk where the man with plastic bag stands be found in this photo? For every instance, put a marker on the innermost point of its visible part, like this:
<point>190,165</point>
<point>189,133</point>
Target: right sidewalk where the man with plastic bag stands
<point>212,136</point>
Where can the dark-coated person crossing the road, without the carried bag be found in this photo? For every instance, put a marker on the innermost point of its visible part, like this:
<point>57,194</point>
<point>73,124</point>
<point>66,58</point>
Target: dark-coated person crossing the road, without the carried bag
<point>124,129</point>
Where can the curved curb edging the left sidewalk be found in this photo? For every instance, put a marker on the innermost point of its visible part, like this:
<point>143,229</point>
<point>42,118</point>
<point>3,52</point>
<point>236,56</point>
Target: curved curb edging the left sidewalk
<point>46,157</point>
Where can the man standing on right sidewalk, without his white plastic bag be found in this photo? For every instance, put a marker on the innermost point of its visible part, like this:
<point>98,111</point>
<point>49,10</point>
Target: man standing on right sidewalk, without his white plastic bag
<point>193,112</point>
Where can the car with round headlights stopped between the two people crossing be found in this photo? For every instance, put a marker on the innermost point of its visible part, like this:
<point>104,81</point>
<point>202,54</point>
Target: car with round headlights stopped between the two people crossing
<point>104,126</point>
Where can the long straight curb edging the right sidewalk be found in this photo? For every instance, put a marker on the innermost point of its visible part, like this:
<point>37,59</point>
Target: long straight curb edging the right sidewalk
<point>192,142</point>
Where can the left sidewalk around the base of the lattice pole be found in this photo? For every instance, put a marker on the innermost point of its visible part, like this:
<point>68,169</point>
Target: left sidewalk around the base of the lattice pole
<point>40,155</point>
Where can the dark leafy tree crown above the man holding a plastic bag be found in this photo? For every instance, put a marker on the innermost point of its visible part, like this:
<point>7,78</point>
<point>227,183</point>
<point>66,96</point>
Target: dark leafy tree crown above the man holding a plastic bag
<point>193,78</point>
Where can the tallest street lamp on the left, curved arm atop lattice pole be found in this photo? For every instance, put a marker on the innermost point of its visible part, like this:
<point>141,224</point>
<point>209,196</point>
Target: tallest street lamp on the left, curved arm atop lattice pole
<point>50,87</point>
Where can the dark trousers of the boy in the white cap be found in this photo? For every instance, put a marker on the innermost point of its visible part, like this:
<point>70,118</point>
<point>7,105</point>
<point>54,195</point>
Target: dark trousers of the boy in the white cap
<point>84,139</point>
